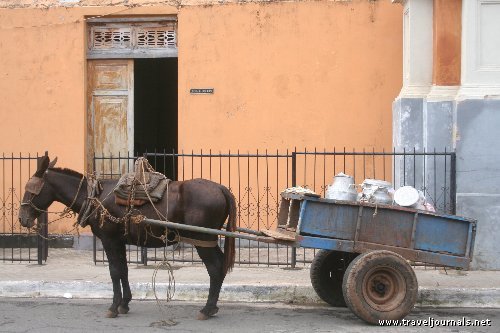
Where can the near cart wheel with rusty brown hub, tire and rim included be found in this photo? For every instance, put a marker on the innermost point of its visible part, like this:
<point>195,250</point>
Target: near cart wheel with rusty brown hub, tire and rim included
<point>380,285</point>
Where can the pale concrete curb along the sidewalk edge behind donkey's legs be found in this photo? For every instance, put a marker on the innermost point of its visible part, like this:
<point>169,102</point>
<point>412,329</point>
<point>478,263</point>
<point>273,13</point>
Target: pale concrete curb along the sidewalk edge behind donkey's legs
<point>298,294</point>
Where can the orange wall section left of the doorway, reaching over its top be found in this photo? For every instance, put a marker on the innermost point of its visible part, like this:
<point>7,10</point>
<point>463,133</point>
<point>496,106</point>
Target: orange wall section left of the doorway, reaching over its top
<point>42,80</point>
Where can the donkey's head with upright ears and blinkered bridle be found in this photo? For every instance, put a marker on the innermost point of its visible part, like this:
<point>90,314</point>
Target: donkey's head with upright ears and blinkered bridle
<point>37,196</point>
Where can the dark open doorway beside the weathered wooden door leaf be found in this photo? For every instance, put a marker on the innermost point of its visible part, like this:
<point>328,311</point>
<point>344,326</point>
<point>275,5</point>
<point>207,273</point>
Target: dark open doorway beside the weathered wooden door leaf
<point>155,111</point>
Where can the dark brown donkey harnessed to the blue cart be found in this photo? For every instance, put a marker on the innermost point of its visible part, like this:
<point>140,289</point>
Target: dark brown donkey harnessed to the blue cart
<point>197,202</point>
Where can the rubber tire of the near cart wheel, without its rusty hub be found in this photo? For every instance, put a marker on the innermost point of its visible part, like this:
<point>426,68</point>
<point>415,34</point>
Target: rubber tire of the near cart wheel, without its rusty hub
<point>365,266</point>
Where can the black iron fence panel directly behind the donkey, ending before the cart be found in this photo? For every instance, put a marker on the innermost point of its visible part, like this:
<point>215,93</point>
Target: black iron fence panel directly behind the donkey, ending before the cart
<point>256,181</point>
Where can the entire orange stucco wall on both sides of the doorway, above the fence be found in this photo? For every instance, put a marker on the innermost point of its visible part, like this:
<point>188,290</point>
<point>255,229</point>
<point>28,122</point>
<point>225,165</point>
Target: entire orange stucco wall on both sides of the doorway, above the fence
<point>285,74</point>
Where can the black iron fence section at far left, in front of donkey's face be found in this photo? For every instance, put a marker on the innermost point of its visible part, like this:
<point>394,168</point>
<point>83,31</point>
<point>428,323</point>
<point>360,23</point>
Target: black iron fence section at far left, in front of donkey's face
<point>17,243</point>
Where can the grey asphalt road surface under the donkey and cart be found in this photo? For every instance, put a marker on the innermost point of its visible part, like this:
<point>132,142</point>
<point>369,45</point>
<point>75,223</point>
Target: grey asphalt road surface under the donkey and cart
<point>71,315</point>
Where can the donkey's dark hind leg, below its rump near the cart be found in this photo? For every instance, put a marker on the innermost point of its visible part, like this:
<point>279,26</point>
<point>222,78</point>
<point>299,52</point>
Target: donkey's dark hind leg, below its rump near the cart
<point>213,258</point>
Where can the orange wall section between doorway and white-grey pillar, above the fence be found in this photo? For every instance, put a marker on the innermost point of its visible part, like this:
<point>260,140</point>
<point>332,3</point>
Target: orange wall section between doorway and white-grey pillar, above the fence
<point>305,74</point>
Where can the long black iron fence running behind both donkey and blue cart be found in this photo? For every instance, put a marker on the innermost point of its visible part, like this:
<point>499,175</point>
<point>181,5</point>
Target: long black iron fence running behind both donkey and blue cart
<point>257,179</point>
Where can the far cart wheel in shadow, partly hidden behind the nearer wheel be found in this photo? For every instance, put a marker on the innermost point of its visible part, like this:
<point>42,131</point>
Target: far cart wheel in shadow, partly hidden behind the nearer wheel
<point>327,272</point>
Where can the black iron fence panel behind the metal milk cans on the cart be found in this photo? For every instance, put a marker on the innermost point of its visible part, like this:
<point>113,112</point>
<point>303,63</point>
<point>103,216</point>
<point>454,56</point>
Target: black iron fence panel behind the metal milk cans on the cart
<point>432,172</point>
